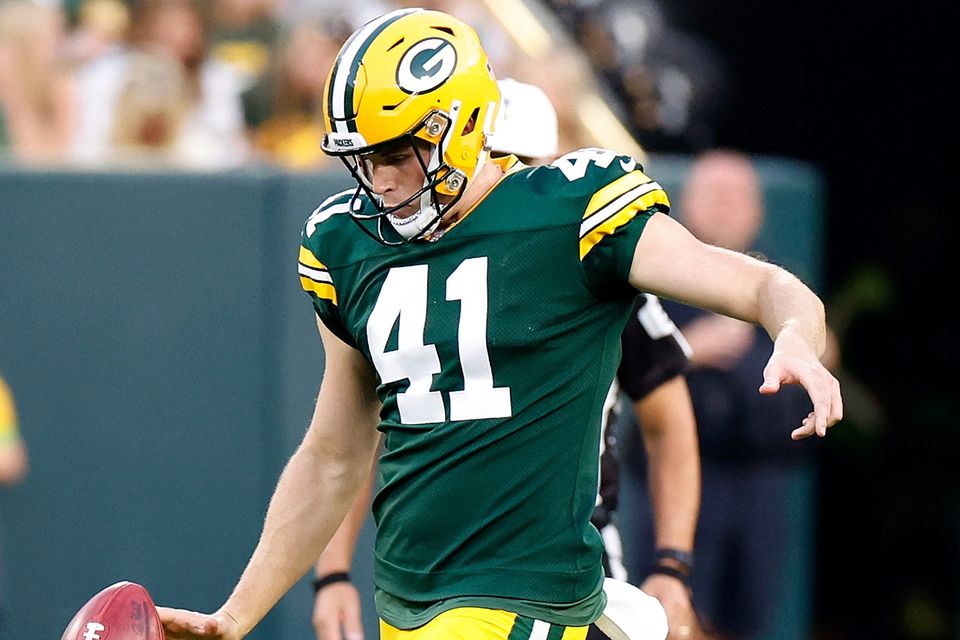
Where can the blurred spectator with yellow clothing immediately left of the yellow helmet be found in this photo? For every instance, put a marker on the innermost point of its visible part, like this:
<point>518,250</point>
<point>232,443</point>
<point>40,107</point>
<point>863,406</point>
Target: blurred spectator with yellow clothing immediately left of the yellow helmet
<point>283,110</point>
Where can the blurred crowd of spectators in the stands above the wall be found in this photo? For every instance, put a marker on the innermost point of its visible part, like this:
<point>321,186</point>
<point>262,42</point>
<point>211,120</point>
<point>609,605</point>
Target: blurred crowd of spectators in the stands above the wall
<point>220,84</point>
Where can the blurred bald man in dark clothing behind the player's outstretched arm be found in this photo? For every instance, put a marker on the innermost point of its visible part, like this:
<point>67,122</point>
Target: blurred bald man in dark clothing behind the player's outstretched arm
<point>748,464</point>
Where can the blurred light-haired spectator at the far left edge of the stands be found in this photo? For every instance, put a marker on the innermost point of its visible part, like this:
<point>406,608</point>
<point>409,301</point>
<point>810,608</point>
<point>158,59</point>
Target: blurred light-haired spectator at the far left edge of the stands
<point>36,91</point>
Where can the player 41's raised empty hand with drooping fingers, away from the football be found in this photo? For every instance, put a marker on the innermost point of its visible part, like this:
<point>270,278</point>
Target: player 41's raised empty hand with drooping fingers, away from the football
<point>793,362</point>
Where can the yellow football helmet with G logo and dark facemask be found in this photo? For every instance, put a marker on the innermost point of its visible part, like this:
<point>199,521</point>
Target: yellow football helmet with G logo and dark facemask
<point>412,75</point>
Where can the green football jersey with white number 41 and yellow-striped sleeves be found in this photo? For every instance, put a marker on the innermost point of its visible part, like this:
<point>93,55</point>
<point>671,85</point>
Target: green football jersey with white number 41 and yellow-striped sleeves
<point>494,348</point>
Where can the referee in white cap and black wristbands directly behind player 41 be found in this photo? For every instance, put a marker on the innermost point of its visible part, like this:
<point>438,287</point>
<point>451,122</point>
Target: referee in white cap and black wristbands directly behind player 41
<point>654,358</point>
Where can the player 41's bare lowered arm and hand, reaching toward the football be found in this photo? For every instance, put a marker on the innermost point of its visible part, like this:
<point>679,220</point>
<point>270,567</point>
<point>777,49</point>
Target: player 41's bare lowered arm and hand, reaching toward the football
<point>317,487</point>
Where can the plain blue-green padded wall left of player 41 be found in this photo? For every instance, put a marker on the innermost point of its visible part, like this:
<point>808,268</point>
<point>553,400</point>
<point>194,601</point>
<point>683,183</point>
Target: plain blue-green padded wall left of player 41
<point>143,322</point>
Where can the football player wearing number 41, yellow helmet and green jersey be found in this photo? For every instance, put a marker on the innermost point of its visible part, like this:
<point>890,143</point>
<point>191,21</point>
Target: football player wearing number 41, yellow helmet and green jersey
<point>471,310</point>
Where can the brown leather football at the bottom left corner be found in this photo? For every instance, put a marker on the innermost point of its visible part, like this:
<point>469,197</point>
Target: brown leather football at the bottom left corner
<point>122,611</point>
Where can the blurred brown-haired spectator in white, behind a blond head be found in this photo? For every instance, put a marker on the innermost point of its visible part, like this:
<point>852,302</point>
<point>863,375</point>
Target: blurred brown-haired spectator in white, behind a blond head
<point>210,134</point>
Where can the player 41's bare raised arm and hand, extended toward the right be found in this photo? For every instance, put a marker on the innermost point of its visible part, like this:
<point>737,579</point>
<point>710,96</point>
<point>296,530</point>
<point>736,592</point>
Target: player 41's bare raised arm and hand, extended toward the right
<point>744,287</point>
